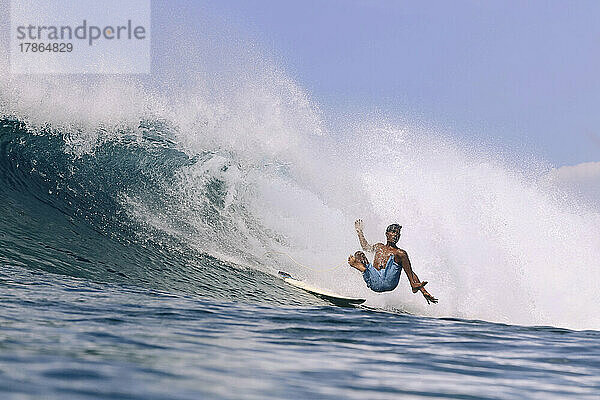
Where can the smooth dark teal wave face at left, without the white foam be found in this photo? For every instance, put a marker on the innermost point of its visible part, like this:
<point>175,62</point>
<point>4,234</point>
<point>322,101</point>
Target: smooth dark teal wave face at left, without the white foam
<point>68,214</point>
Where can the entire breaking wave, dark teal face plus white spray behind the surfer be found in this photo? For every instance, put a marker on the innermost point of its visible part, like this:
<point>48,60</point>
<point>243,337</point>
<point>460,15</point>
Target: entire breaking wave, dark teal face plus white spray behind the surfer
<point>189,187</point>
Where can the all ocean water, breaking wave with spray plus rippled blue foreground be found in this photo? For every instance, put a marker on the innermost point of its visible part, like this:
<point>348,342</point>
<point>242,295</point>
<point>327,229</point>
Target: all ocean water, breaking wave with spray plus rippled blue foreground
<point>143,221</point>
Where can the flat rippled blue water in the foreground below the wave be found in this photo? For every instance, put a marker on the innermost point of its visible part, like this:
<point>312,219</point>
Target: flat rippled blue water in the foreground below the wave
<point>63,337</point>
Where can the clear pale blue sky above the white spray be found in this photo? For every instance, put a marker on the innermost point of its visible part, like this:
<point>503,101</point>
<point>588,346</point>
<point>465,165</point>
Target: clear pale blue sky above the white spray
<point>510,70</point>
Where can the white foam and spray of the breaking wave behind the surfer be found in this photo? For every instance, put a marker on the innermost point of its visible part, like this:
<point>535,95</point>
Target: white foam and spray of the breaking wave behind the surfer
<point>493,242</point>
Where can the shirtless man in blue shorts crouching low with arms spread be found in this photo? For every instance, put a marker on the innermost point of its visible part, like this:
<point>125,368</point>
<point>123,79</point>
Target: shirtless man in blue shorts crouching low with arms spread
<point>384,274</point>
